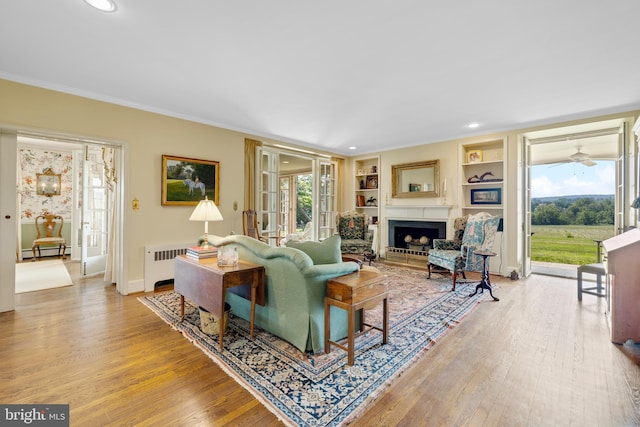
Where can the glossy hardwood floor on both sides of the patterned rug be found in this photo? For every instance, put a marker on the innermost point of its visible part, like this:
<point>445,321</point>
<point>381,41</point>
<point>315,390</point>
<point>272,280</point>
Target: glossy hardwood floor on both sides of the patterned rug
<point>537,357</point>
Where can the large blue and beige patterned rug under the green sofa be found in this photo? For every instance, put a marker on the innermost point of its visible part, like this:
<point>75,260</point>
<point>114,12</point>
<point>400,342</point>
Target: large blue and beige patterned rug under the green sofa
<point>321,390</point>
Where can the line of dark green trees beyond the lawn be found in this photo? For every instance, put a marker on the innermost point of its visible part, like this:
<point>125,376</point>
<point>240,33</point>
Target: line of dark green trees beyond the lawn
<point>581,211</point>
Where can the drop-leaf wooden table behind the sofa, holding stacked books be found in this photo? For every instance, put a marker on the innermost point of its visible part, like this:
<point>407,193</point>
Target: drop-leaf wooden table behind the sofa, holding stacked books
<point>206,284</point>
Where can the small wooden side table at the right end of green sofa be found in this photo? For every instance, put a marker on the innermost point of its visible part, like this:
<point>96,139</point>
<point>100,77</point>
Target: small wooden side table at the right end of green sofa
<point>364,290</point>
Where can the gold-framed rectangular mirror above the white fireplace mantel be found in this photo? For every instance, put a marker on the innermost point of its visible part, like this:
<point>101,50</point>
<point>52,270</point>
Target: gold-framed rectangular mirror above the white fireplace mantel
<point>419,179</point>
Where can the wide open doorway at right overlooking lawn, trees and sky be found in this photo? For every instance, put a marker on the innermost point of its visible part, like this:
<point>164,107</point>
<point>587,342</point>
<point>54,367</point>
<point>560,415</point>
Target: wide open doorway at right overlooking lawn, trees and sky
<point>598,171</point>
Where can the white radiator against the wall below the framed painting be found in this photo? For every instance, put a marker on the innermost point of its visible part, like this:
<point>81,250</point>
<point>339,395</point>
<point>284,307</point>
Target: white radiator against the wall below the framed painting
<point>158,263</point>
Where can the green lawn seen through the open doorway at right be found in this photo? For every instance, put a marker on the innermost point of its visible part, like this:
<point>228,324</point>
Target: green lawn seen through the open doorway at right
<point>567,244</point>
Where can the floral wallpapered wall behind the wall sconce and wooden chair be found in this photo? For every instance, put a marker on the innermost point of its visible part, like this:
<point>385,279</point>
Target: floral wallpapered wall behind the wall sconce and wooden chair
<point>33,161</point>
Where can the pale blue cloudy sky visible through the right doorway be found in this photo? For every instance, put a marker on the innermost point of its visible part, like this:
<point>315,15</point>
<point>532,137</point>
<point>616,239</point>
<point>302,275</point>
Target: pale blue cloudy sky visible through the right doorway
<point>568,179</point>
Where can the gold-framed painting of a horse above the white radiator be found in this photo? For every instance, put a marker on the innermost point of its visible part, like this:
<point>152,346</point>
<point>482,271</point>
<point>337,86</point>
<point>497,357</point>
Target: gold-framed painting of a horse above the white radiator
<point>186,181</point>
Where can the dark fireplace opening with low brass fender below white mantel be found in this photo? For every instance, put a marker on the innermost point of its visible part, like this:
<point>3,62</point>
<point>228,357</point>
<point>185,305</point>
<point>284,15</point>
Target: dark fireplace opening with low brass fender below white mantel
<point>410,240</point>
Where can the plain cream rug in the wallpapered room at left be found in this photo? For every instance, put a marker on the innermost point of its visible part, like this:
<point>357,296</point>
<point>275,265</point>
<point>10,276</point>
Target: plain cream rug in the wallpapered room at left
<point>39,275</point>
